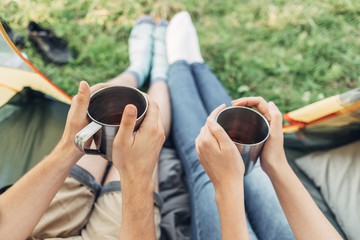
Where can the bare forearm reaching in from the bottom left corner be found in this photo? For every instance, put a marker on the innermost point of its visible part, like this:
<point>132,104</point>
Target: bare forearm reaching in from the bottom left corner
<point>22,206</point>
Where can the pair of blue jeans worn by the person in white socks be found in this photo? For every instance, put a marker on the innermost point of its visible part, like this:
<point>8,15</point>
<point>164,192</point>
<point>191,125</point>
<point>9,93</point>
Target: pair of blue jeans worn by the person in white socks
<point>195,92</point>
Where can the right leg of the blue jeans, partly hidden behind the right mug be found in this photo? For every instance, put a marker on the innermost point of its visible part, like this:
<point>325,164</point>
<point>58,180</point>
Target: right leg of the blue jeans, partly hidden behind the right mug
<point>262,207</point>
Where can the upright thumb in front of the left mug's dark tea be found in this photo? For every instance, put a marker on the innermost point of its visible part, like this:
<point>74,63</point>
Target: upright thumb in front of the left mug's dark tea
<point>127,125</point>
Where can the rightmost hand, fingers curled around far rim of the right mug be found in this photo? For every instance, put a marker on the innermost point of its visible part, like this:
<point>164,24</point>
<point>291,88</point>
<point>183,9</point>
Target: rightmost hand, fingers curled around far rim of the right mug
<point>273,154</point>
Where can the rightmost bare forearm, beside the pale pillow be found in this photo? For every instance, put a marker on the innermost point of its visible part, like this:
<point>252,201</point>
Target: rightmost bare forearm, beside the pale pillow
<point>305,218</point>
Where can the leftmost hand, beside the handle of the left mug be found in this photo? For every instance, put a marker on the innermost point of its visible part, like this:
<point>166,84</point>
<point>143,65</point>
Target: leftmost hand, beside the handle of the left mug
<point>76,119</point>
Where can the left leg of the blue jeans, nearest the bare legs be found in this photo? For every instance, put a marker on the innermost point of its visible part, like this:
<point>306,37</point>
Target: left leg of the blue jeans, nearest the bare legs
<point>189,115</point>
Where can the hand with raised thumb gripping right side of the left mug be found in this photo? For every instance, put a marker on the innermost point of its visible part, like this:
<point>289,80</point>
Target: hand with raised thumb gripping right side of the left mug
<point>135,153</point>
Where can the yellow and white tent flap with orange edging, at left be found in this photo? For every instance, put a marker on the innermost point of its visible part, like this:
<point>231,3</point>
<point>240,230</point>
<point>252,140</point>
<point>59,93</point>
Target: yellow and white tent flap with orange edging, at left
<point>16,72</point>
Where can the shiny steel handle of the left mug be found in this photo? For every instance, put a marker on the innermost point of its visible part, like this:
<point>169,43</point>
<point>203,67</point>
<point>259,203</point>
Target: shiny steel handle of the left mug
<point>84,135</point>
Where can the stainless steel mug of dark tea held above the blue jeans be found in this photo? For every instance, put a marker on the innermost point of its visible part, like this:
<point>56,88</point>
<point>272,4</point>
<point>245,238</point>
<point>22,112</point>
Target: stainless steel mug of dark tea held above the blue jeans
<point>248,129</point>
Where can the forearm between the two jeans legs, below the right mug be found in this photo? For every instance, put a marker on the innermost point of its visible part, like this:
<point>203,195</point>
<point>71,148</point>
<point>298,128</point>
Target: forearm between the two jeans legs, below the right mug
<point>230,202</point>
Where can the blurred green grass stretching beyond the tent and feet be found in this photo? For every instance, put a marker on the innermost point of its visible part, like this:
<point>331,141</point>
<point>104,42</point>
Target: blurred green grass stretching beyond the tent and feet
<point>290,52</point>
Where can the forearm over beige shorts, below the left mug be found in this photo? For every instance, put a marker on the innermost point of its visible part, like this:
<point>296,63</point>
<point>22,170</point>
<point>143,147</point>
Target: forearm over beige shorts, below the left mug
<point>137,210</point>
